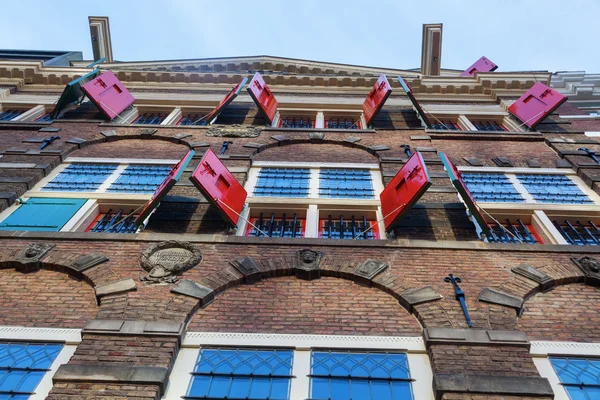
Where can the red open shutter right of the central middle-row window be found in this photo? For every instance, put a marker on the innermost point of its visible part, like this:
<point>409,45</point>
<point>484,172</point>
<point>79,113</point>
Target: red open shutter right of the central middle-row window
<point>404,190</point>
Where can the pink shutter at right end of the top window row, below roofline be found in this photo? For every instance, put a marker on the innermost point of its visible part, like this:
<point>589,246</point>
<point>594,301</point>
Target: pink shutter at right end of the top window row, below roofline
<point>536,104</point>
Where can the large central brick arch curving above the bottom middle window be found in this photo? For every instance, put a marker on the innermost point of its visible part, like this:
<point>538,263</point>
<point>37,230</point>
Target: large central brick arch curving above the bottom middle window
<point>229,276</point>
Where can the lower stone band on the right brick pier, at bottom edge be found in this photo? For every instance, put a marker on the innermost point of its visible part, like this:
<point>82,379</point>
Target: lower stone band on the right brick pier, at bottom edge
<point>492,385</point>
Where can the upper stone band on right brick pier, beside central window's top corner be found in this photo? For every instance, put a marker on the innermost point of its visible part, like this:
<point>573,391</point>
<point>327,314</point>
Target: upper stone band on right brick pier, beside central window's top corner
<point>475,337</point>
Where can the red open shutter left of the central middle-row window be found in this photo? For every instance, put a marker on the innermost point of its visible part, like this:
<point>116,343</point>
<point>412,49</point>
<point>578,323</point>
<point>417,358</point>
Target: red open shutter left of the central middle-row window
<point>219,187</point>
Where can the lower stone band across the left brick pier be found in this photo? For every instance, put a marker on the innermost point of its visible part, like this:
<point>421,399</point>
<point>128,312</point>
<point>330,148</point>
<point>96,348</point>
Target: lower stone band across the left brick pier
<point>112,374</point>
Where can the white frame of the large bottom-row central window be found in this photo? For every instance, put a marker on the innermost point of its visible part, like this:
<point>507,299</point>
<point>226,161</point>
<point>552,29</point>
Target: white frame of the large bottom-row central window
<point>302,345</point>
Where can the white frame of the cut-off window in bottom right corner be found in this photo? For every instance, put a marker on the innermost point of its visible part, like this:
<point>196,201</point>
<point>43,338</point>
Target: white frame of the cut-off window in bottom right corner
<point>541,351</point>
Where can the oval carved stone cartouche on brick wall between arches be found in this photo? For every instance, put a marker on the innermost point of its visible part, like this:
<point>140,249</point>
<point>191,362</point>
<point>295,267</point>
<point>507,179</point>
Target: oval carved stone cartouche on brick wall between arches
<point>165,261</point>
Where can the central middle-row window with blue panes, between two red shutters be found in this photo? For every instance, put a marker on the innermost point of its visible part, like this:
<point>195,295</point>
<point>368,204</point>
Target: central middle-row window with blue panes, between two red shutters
<point>302,200</point>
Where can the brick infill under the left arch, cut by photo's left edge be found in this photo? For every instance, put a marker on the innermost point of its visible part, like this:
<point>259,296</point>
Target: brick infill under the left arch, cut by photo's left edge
<point>45,299</point>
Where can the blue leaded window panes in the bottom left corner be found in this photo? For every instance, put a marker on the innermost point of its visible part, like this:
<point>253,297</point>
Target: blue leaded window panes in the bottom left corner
<point>22,367</point>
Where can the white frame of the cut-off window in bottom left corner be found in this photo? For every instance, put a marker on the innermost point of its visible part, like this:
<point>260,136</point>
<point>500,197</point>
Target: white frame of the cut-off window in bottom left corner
<point>69,338</point>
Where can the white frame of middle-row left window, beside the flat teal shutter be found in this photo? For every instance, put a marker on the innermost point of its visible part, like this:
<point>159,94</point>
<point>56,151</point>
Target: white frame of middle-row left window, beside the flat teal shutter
<point>99,200</point>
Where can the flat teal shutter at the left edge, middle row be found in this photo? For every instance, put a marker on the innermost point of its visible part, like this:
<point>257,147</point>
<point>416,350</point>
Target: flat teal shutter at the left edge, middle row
<point>42,214</point>
